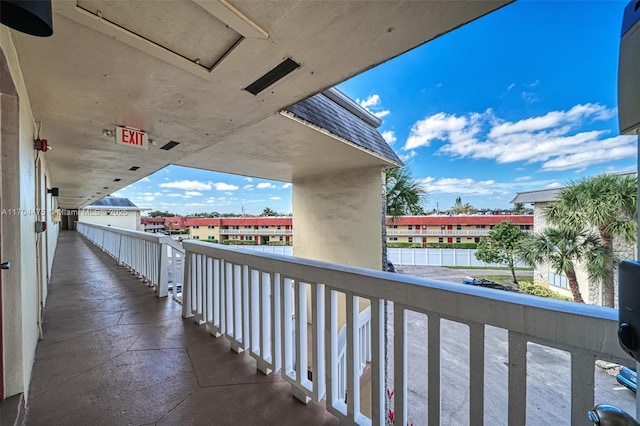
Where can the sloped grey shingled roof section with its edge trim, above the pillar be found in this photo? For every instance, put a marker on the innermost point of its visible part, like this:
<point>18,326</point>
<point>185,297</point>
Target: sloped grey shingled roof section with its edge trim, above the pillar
<point>334,111</point>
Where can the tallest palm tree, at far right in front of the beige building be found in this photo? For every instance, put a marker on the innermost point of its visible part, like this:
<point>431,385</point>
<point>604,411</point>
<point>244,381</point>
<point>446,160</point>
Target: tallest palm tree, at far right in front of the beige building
<point>608,203</point>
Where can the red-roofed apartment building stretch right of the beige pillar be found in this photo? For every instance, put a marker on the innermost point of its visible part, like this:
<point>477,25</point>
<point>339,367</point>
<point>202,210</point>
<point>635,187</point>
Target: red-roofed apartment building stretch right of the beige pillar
<point>421,230</point>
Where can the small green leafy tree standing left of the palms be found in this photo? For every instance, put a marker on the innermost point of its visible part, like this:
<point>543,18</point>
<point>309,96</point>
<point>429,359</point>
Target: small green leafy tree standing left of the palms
<point>501,246</point>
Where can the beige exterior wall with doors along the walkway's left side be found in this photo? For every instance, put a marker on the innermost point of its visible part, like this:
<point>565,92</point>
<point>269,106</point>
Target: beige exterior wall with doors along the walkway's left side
<point>24,285</point>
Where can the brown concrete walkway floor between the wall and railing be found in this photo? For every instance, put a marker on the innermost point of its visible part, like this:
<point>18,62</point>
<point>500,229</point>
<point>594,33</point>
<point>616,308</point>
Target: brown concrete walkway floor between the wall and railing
<point>114,354</point>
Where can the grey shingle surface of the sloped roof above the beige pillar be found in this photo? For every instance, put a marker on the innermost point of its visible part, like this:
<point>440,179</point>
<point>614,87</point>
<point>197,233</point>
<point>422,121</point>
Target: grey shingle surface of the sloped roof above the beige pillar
<point>327,114</point>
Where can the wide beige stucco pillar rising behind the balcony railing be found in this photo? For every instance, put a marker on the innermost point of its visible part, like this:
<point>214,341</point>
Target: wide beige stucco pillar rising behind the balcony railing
<point>338,218</point>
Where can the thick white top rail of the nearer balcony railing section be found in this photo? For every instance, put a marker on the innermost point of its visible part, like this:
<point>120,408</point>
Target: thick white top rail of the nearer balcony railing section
<point>588,327</point>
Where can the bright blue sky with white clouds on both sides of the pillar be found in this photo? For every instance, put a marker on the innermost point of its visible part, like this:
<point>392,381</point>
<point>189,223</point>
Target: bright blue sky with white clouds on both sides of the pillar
<point>521,99</point>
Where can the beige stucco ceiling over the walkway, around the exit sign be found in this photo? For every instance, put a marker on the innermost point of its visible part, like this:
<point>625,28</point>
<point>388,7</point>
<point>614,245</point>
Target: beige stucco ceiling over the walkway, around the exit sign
<point>178,69</point>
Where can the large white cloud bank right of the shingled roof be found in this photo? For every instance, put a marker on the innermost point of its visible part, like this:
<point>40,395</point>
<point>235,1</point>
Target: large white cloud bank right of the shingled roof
<point>552,139</point>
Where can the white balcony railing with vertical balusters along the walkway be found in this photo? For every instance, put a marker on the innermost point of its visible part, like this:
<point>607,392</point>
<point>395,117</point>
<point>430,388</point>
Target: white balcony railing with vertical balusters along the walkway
<point>288,313</point>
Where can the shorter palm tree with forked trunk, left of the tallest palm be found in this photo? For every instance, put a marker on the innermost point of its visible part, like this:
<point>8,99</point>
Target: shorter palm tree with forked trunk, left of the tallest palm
<point>562,248</point>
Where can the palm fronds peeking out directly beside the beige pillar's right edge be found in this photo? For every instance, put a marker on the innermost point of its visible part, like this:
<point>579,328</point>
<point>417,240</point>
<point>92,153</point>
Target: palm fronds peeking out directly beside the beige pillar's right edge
<point>404,193</point>
